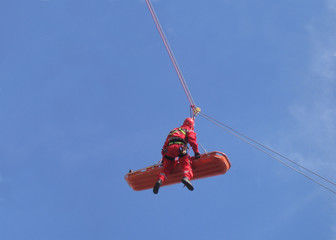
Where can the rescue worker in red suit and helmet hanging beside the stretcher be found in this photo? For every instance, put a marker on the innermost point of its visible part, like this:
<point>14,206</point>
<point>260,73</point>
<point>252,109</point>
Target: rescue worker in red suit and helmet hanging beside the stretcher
<point>175,147</point>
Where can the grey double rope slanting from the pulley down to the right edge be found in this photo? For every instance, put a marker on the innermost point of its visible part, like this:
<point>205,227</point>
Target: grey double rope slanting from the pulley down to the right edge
<point>262,148</point>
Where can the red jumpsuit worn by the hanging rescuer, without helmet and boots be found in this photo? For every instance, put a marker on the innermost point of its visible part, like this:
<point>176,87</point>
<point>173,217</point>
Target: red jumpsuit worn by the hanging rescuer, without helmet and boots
<point>176,141</point>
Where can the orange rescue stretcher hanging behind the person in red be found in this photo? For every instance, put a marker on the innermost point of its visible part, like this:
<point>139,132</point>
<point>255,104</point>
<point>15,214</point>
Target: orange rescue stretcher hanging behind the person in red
<point>208,165</point>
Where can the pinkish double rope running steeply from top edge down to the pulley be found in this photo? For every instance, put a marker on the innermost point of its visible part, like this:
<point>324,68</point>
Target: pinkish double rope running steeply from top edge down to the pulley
<point>170,53</point>
